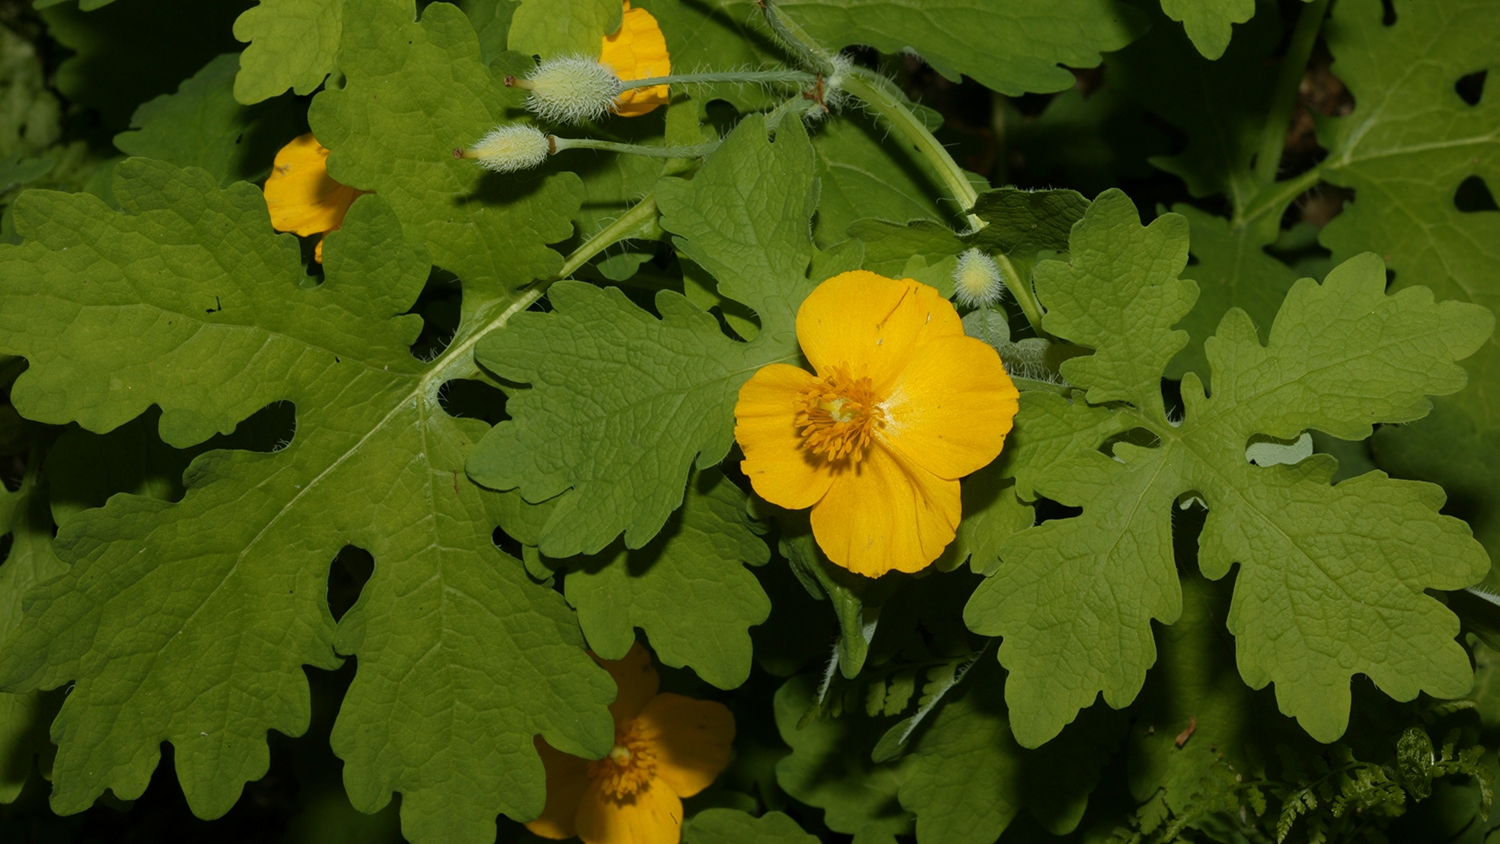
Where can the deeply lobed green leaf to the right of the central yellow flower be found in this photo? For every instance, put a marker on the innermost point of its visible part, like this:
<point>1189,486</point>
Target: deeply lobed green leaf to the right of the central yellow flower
<point>1331,579</point>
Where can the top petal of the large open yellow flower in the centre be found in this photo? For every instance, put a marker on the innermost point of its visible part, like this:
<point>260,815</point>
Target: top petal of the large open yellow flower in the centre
<point>872,325</point>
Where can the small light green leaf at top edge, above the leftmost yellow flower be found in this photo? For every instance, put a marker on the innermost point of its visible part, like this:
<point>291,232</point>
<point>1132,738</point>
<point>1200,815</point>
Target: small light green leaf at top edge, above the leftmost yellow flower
<point>293,44</point>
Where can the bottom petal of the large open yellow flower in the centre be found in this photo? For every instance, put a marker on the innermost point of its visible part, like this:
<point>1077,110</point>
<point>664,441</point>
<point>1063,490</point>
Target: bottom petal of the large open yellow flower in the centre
<point>886,515</point>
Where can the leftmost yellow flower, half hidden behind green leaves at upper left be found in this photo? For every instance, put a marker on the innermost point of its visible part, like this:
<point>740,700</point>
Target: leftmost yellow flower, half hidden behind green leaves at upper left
<point>302,197</point>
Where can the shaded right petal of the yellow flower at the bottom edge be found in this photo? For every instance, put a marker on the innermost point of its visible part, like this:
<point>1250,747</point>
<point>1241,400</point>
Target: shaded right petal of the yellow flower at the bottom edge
<point>692,740</point>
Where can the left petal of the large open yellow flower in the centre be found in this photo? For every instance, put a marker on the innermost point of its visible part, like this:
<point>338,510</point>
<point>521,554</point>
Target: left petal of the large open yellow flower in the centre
<point>778,465</point>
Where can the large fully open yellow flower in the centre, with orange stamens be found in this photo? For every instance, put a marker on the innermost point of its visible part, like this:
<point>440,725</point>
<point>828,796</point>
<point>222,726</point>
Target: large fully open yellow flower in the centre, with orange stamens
<point>902,407</point>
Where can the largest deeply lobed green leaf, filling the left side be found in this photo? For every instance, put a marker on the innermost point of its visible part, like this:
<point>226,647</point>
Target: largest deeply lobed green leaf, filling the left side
<point>193,621</point>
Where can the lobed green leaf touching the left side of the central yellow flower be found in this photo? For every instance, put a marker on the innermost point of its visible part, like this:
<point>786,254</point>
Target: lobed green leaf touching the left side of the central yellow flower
<point>623,404</point>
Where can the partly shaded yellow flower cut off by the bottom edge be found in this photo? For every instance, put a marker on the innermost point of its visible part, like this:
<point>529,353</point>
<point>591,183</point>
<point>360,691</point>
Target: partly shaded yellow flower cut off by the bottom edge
<point>667,747</point>
